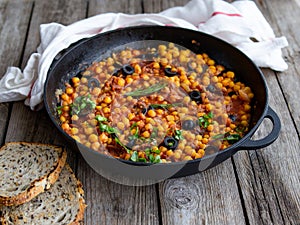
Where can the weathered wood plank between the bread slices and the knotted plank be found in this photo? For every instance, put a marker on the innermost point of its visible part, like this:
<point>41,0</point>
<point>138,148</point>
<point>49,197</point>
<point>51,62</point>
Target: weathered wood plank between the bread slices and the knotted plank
<point>115,204</point>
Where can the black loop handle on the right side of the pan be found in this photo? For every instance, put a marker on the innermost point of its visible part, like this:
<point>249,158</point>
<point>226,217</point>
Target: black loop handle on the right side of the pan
<point>270,138</point>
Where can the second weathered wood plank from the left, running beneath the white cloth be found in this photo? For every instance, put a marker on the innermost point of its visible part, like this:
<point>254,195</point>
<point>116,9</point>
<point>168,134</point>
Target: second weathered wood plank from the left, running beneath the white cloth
<point>26,125</point>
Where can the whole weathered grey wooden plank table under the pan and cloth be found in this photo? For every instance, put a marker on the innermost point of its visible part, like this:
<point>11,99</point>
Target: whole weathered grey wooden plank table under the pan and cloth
<point>252,187</point>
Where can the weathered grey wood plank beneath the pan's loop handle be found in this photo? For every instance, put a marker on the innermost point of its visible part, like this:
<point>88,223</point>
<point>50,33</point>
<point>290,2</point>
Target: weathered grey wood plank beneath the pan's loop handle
<point>269,177</point>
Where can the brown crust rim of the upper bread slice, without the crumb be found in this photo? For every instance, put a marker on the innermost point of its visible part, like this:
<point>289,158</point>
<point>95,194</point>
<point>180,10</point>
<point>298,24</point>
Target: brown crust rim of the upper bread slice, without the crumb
<point>39,185</point>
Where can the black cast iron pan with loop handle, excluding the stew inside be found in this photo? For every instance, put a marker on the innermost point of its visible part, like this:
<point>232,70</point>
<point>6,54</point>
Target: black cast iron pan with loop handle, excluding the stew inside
<point>78,56</point>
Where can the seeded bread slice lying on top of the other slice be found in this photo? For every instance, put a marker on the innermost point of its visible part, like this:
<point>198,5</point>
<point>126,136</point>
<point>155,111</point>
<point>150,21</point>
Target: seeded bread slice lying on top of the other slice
<point>28,169</point>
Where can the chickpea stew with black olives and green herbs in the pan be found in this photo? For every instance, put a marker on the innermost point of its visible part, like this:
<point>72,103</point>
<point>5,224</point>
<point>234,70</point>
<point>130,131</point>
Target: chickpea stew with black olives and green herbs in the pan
<point>160,103</point>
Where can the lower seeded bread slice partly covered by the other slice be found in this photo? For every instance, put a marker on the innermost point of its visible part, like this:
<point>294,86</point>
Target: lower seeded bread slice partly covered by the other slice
<point>63,203</point>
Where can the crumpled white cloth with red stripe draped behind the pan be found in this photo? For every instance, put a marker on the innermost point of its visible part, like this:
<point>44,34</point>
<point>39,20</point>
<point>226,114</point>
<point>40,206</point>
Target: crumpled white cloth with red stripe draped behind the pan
<point>238,23</point>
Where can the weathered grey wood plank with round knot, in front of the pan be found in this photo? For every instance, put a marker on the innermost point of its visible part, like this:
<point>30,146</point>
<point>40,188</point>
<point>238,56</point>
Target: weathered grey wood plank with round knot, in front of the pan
<point>210,197</point>
